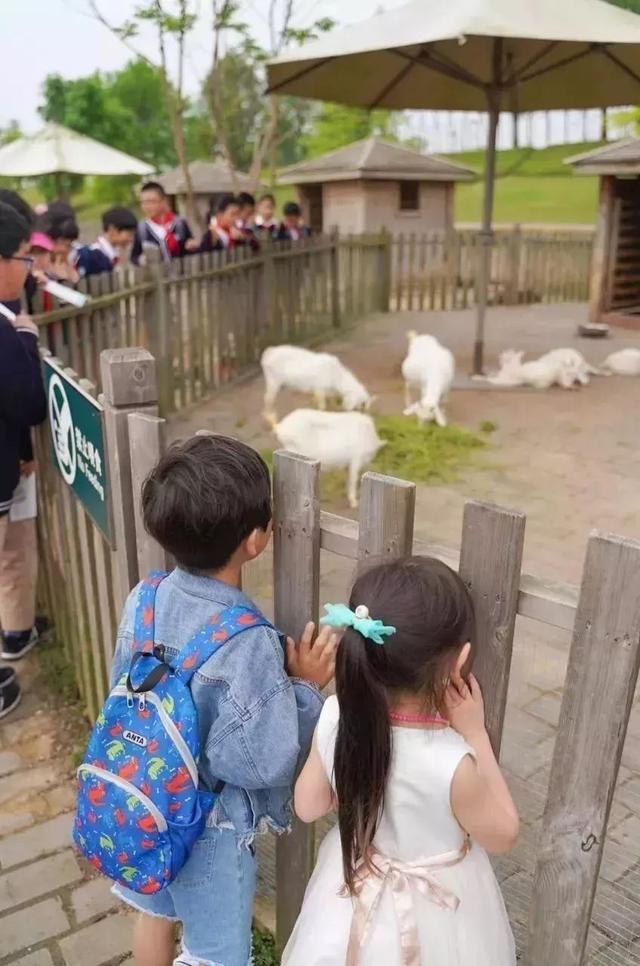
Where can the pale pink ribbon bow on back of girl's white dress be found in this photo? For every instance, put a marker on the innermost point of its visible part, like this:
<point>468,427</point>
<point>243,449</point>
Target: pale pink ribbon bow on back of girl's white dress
<point>403,878</point>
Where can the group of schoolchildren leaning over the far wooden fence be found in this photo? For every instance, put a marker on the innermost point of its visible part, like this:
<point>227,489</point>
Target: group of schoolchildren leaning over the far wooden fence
<point>234,221</point>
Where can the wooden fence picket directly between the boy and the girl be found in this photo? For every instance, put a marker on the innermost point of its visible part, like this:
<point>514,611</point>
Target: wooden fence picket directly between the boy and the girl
<point>296,580</point>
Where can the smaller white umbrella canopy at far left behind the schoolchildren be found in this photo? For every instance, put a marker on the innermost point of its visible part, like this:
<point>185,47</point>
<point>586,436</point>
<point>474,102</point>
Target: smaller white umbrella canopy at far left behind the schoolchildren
<point>57,150</point>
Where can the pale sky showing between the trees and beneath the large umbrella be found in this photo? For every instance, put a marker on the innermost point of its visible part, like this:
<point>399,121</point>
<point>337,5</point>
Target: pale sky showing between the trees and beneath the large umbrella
<point>40,37</point>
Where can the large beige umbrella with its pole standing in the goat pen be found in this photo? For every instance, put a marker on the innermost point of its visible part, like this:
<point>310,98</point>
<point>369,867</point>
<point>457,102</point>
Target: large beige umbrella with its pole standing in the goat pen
<point>470,55</point>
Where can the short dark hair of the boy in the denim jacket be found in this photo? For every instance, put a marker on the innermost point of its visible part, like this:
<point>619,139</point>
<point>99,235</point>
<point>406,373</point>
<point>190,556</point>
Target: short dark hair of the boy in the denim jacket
<point>204,498</point>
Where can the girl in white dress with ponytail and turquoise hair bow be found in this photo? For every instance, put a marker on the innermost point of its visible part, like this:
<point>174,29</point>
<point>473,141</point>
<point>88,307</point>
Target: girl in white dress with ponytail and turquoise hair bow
<point>404,879</point>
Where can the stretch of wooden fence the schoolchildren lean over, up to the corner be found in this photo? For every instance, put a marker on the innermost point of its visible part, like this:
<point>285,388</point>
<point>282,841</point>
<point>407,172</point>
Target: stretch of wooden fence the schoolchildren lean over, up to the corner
<point>207,318</point>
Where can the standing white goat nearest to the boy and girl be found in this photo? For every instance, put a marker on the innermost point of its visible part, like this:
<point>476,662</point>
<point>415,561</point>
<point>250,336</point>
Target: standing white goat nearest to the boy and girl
<point>336,439</point>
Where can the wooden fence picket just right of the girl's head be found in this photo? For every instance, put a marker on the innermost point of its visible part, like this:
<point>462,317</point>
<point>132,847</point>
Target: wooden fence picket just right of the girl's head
<point>490,564</point>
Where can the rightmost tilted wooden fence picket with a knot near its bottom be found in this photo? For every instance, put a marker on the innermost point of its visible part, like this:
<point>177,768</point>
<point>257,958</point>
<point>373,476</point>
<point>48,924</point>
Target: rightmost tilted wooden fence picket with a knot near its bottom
<point>599,688</point>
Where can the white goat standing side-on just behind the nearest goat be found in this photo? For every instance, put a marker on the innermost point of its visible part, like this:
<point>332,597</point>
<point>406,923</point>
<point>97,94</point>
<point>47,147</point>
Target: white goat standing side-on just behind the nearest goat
<point>320,373</point>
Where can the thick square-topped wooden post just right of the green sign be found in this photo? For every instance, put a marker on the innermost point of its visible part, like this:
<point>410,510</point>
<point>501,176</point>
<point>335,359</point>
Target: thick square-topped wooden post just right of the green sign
<point>129,384</point>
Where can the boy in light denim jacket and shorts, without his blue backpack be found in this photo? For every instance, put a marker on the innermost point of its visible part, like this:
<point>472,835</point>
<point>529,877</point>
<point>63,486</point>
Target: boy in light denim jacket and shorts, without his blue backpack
<point>208,503</point>
